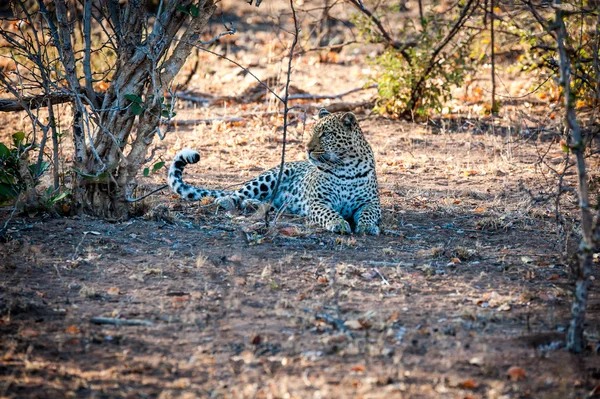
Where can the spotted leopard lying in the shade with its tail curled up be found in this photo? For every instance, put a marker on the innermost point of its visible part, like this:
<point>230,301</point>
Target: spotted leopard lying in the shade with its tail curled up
<point>335,188</point>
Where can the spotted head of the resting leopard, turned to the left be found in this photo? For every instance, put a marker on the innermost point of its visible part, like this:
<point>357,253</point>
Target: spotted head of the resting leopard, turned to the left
<point>337,141</point>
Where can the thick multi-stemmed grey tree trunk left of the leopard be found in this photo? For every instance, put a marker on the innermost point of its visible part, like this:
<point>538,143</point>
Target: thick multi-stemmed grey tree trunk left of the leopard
<point>145,68</point>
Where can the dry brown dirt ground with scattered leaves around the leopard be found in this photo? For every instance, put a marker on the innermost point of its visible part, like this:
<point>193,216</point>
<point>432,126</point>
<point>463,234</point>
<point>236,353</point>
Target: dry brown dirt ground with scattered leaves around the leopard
<point>466,294</point>
